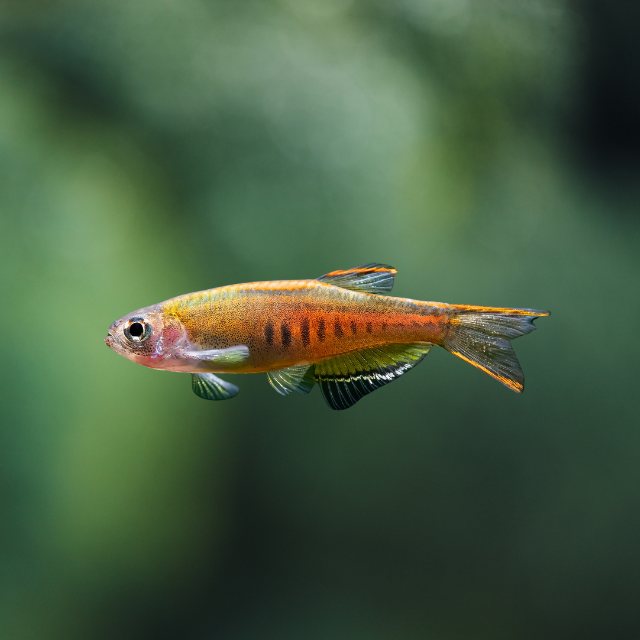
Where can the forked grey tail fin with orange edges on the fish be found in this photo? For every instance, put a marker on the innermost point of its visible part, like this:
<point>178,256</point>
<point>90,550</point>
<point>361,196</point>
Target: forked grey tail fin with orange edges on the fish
<point>482,335</point>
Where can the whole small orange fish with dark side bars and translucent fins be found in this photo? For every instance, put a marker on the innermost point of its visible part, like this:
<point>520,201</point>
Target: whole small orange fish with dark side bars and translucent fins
<point>341,332</point>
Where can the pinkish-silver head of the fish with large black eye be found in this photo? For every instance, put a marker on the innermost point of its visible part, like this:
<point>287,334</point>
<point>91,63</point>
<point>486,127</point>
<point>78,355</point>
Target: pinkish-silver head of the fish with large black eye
<point>147,336</point>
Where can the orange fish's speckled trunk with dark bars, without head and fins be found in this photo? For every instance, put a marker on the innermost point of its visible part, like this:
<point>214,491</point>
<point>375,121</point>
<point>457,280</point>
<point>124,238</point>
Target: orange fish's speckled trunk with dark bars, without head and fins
<point>292,321</point>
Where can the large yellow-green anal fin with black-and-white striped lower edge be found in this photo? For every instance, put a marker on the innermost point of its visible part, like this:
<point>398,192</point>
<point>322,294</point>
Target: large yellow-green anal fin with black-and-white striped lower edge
<point>347,378</point>
